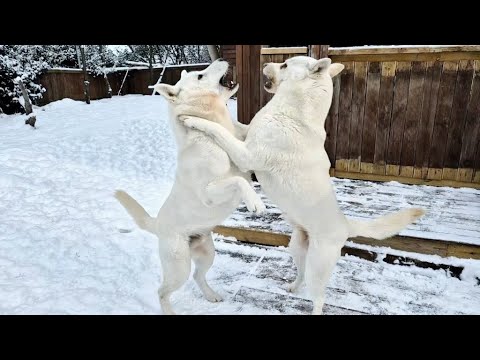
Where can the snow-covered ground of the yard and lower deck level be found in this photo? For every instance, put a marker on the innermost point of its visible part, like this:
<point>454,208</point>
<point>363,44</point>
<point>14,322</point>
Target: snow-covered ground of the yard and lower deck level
<point>61,251</point>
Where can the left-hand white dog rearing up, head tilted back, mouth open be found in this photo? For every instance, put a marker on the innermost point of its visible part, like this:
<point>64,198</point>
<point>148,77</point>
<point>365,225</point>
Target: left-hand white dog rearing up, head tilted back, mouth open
<point>207,188</point>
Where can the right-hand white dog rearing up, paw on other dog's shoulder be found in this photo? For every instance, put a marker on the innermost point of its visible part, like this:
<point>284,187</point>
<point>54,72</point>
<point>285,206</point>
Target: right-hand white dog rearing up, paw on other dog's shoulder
<point>285,147</point>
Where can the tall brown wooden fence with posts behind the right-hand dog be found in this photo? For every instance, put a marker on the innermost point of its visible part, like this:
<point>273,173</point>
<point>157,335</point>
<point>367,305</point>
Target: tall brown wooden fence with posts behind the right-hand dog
<point>408,114</point>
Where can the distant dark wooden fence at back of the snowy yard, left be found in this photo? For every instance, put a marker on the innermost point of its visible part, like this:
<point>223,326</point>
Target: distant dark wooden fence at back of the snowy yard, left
<point>68,83</point>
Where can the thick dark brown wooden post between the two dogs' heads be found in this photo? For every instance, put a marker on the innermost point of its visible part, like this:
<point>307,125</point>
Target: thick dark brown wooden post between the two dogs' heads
<point>249,76</point>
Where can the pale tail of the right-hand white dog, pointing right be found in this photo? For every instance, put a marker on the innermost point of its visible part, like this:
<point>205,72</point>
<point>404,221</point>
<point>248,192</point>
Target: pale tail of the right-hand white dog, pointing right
<point>385,226</point>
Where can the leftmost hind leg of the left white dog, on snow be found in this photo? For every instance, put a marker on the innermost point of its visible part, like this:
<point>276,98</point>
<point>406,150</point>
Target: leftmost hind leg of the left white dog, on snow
<point>176,265</point>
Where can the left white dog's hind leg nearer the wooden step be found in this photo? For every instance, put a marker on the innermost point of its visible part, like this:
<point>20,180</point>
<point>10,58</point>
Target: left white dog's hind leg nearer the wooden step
<point>203,252</point>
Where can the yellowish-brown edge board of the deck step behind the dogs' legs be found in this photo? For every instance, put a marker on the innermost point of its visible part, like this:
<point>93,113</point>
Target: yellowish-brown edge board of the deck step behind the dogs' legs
<point>404,243</point>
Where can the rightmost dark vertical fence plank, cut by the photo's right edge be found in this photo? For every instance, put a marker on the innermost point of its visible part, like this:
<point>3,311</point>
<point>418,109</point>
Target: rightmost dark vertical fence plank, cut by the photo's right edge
<point>471,132</point>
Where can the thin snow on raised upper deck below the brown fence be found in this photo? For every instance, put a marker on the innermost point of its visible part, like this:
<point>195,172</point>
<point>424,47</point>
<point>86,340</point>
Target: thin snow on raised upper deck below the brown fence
<point>453,214</point>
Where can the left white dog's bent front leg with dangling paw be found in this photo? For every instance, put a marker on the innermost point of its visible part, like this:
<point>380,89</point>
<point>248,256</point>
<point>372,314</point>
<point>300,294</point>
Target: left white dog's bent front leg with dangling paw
<point>219,191</point>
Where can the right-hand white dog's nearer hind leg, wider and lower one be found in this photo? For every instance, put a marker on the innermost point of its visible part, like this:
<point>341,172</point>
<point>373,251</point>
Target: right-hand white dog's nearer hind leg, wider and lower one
<point>320,262</point>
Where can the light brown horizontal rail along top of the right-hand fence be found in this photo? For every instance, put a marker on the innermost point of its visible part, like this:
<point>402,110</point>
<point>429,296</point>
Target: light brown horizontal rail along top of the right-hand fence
<point>444,56</point>
